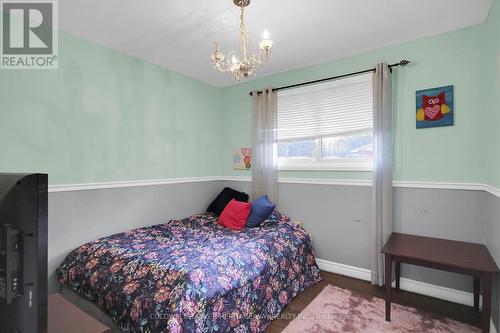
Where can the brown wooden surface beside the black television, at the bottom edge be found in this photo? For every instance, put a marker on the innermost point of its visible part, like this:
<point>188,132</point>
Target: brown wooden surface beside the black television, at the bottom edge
<point>65,317</point>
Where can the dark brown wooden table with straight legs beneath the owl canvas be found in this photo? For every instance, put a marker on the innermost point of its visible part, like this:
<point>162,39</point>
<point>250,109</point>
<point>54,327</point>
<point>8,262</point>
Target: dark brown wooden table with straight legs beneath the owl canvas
<point>459,257</point>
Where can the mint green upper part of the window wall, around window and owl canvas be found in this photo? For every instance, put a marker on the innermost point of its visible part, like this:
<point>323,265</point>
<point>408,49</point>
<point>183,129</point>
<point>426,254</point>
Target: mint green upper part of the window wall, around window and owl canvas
<point>447,154</point>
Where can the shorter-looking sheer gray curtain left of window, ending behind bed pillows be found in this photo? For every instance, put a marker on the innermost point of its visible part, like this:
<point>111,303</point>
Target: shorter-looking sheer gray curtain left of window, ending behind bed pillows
<point>264,154</point>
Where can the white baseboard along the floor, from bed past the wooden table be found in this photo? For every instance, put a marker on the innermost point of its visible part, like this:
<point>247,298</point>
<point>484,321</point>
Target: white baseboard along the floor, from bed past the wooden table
<point>418,287</point>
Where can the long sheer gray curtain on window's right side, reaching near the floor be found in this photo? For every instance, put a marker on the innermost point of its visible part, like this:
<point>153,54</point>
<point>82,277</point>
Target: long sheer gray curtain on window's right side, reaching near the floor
<point>382,200</point>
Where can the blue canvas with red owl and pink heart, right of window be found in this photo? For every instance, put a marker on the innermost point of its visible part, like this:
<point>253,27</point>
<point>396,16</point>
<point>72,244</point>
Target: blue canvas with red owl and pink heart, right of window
<point>435,107</point>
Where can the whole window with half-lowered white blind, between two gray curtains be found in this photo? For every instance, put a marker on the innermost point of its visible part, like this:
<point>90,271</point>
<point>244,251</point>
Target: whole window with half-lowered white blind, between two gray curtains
<point>327,126</point>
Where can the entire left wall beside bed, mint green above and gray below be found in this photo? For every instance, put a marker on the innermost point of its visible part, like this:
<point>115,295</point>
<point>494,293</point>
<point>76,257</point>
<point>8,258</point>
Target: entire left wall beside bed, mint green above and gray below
<point>102,117</point>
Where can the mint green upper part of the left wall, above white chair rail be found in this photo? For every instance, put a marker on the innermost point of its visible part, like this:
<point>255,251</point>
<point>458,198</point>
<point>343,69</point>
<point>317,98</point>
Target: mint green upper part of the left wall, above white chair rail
<point>104,116</point>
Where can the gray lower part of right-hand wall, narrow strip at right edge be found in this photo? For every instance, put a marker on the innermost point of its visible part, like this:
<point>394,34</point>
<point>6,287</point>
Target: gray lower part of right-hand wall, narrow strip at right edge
<point>492,232</point>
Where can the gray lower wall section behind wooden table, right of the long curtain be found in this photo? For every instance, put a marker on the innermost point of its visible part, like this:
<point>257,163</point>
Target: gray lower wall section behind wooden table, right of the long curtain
<point>450,214</point>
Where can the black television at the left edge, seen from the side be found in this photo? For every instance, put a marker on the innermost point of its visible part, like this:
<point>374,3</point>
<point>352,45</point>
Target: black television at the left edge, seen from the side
<point>23,253</point>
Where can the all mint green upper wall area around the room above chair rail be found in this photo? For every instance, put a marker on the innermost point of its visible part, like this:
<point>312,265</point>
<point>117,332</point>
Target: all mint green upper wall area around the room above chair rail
<point>105,116</point>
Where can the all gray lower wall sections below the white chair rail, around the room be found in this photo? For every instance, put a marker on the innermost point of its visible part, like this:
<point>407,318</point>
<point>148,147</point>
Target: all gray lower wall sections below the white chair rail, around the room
<point>338,218</point>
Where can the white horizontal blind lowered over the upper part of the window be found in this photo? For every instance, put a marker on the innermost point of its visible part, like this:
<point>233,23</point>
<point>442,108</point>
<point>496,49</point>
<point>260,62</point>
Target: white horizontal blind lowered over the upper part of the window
<point>326,109</point>
